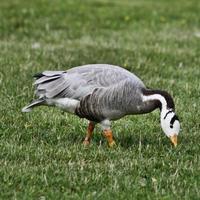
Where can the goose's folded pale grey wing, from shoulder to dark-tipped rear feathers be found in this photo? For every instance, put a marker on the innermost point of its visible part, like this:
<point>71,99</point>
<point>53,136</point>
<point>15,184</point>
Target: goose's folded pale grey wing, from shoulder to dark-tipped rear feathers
<point>80,81</point>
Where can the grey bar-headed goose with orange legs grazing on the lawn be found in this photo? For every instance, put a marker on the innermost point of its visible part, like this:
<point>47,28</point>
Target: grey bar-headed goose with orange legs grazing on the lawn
<point>102,93</point>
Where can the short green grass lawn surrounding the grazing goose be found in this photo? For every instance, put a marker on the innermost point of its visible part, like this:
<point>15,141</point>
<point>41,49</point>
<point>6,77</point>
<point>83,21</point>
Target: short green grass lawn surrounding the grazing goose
<point>41,154</point>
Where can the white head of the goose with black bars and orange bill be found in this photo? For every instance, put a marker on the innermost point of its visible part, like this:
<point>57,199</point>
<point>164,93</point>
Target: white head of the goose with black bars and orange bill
<point>170,125</point>
